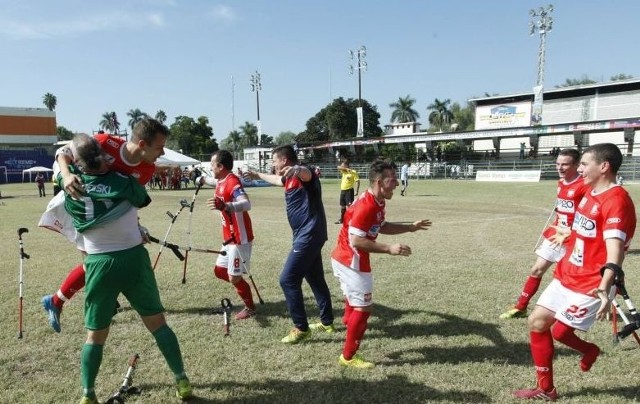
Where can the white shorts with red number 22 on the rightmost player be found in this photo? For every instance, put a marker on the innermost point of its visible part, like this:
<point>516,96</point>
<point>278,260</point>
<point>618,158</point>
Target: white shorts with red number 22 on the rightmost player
<point>572,308</point>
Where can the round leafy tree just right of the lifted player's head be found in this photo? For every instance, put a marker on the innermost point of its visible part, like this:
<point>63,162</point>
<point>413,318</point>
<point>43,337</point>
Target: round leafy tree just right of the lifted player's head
<point>193,137</point>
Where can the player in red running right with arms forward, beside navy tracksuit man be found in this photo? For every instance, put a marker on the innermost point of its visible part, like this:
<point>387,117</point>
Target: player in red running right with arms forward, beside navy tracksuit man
<point>362,223</point>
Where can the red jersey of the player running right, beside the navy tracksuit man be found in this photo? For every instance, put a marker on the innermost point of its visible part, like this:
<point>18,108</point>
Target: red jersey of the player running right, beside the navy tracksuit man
<point>363,218</point>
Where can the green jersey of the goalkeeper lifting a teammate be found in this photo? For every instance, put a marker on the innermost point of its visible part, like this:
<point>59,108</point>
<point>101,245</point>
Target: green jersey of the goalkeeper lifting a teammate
<point>106,197</point>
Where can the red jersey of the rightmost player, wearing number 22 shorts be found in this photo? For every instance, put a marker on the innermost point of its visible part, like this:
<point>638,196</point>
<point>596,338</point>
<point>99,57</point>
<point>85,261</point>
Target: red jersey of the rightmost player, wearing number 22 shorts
<point>602,216</point>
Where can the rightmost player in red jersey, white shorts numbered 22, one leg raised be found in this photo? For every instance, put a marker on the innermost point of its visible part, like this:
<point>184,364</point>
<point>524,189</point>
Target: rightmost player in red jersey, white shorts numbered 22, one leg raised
<point>602,230</point>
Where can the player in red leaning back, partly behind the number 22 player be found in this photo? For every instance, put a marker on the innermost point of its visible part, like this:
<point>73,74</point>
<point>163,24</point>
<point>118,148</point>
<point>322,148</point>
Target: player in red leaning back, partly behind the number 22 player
<point>571,189</point>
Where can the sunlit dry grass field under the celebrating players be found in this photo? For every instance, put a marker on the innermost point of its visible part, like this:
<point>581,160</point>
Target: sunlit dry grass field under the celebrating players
<point>434,333</point>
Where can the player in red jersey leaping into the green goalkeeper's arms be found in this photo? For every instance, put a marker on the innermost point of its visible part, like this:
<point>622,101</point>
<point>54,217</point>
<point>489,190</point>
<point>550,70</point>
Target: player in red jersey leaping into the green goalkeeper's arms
<point>135,157</point>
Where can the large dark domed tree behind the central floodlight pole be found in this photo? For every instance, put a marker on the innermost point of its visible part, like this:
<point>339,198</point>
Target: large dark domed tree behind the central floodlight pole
<point>338,120</point>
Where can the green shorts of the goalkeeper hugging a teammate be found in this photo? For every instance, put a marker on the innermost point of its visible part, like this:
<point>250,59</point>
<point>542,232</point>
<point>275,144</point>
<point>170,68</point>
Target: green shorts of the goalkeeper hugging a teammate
<point>107,275</point>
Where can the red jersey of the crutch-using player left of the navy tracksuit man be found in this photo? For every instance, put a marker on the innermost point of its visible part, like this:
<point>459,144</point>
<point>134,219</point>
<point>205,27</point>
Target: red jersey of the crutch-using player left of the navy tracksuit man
<point>239,229</point>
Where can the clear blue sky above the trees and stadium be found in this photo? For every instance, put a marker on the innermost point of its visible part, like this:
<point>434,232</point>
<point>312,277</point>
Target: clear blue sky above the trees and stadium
<point>179,55</point>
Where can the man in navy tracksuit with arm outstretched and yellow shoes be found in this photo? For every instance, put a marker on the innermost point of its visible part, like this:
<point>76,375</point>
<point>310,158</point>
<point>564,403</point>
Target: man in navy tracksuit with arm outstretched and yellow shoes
<point>305,212</point>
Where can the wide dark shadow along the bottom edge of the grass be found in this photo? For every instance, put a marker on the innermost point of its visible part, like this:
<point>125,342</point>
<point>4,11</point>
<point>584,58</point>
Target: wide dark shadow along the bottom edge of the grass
<point>395,388</point>
